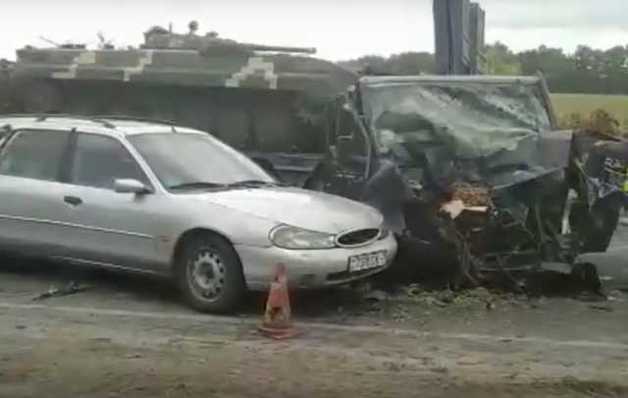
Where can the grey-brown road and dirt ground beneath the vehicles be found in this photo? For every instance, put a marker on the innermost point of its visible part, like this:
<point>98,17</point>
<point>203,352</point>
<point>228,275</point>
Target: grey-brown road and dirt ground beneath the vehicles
<point>131,336</point>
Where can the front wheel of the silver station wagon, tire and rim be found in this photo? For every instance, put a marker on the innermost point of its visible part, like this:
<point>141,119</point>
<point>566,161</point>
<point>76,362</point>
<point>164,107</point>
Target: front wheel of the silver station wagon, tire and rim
<point>209,274</point>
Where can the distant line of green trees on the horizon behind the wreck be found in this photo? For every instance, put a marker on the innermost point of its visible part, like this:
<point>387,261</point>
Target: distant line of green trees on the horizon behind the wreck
<point>587,70</point>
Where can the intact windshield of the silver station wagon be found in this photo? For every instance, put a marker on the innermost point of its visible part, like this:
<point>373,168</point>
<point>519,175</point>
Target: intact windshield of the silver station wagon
<point>196,161</point>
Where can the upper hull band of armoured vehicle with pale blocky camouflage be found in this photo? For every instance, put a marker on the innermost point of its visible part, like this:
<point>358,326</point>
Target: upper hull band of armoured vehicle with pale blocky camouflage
<point>214,67</point>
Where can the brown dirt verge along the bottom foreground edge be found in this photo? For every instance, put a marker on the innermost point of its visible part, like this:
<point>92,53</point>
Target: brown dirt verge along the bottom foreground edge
<point>102,368</point>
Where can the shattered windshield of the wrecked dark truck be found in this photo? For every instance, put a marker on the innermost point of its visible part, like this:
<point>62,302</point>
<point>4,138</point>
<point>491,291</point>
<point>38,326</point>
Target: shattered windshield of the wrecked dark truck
<point>471,119</point>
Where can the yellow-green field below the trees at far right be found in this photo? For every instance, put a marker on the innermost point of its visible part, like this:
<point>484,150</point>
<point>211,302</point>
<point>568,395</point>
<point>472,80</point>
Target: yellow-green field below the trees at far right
<point>584,104</point>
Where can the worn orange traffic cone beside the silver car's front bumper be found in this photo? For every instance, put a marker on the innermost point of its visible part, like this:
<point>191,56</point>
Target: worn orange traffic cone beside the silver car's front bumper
<point>277,323</point>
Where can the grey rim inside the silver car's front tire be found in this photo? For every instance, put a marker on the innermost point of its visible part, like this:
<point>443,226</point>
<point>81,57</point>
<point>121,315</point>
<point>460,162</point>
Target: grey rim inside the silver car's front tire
<point>207,274</point>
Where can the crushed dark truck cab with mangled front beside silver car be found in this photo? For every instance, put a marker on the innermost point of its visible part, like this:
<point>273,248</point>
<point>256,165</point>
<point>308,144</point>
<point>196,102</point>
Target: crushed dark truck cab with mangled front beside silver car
<point>471,172</point>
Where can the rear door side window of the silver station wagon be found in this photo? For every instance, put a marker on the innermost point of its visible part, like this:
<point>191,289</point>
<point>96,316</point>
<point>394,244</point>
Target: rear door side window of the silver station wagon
<point>36,154</point>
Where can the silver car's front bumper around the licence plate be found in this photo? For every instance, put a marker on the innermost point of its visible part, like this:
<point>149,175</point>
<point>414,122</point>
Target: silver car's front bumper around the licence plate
<point>309,268</point>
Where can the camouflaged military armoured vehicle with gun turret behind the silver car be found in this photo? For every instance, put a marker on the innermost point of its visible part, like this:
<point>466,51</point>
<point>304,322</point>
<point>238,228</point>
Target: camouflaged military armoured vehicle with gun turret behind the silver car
<point>253,96</point>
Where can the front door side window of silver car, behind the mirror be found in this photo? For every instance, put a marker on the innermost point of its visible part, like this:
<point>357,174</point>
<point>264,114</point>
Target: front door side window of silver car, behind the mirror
<point>100,160</point>
